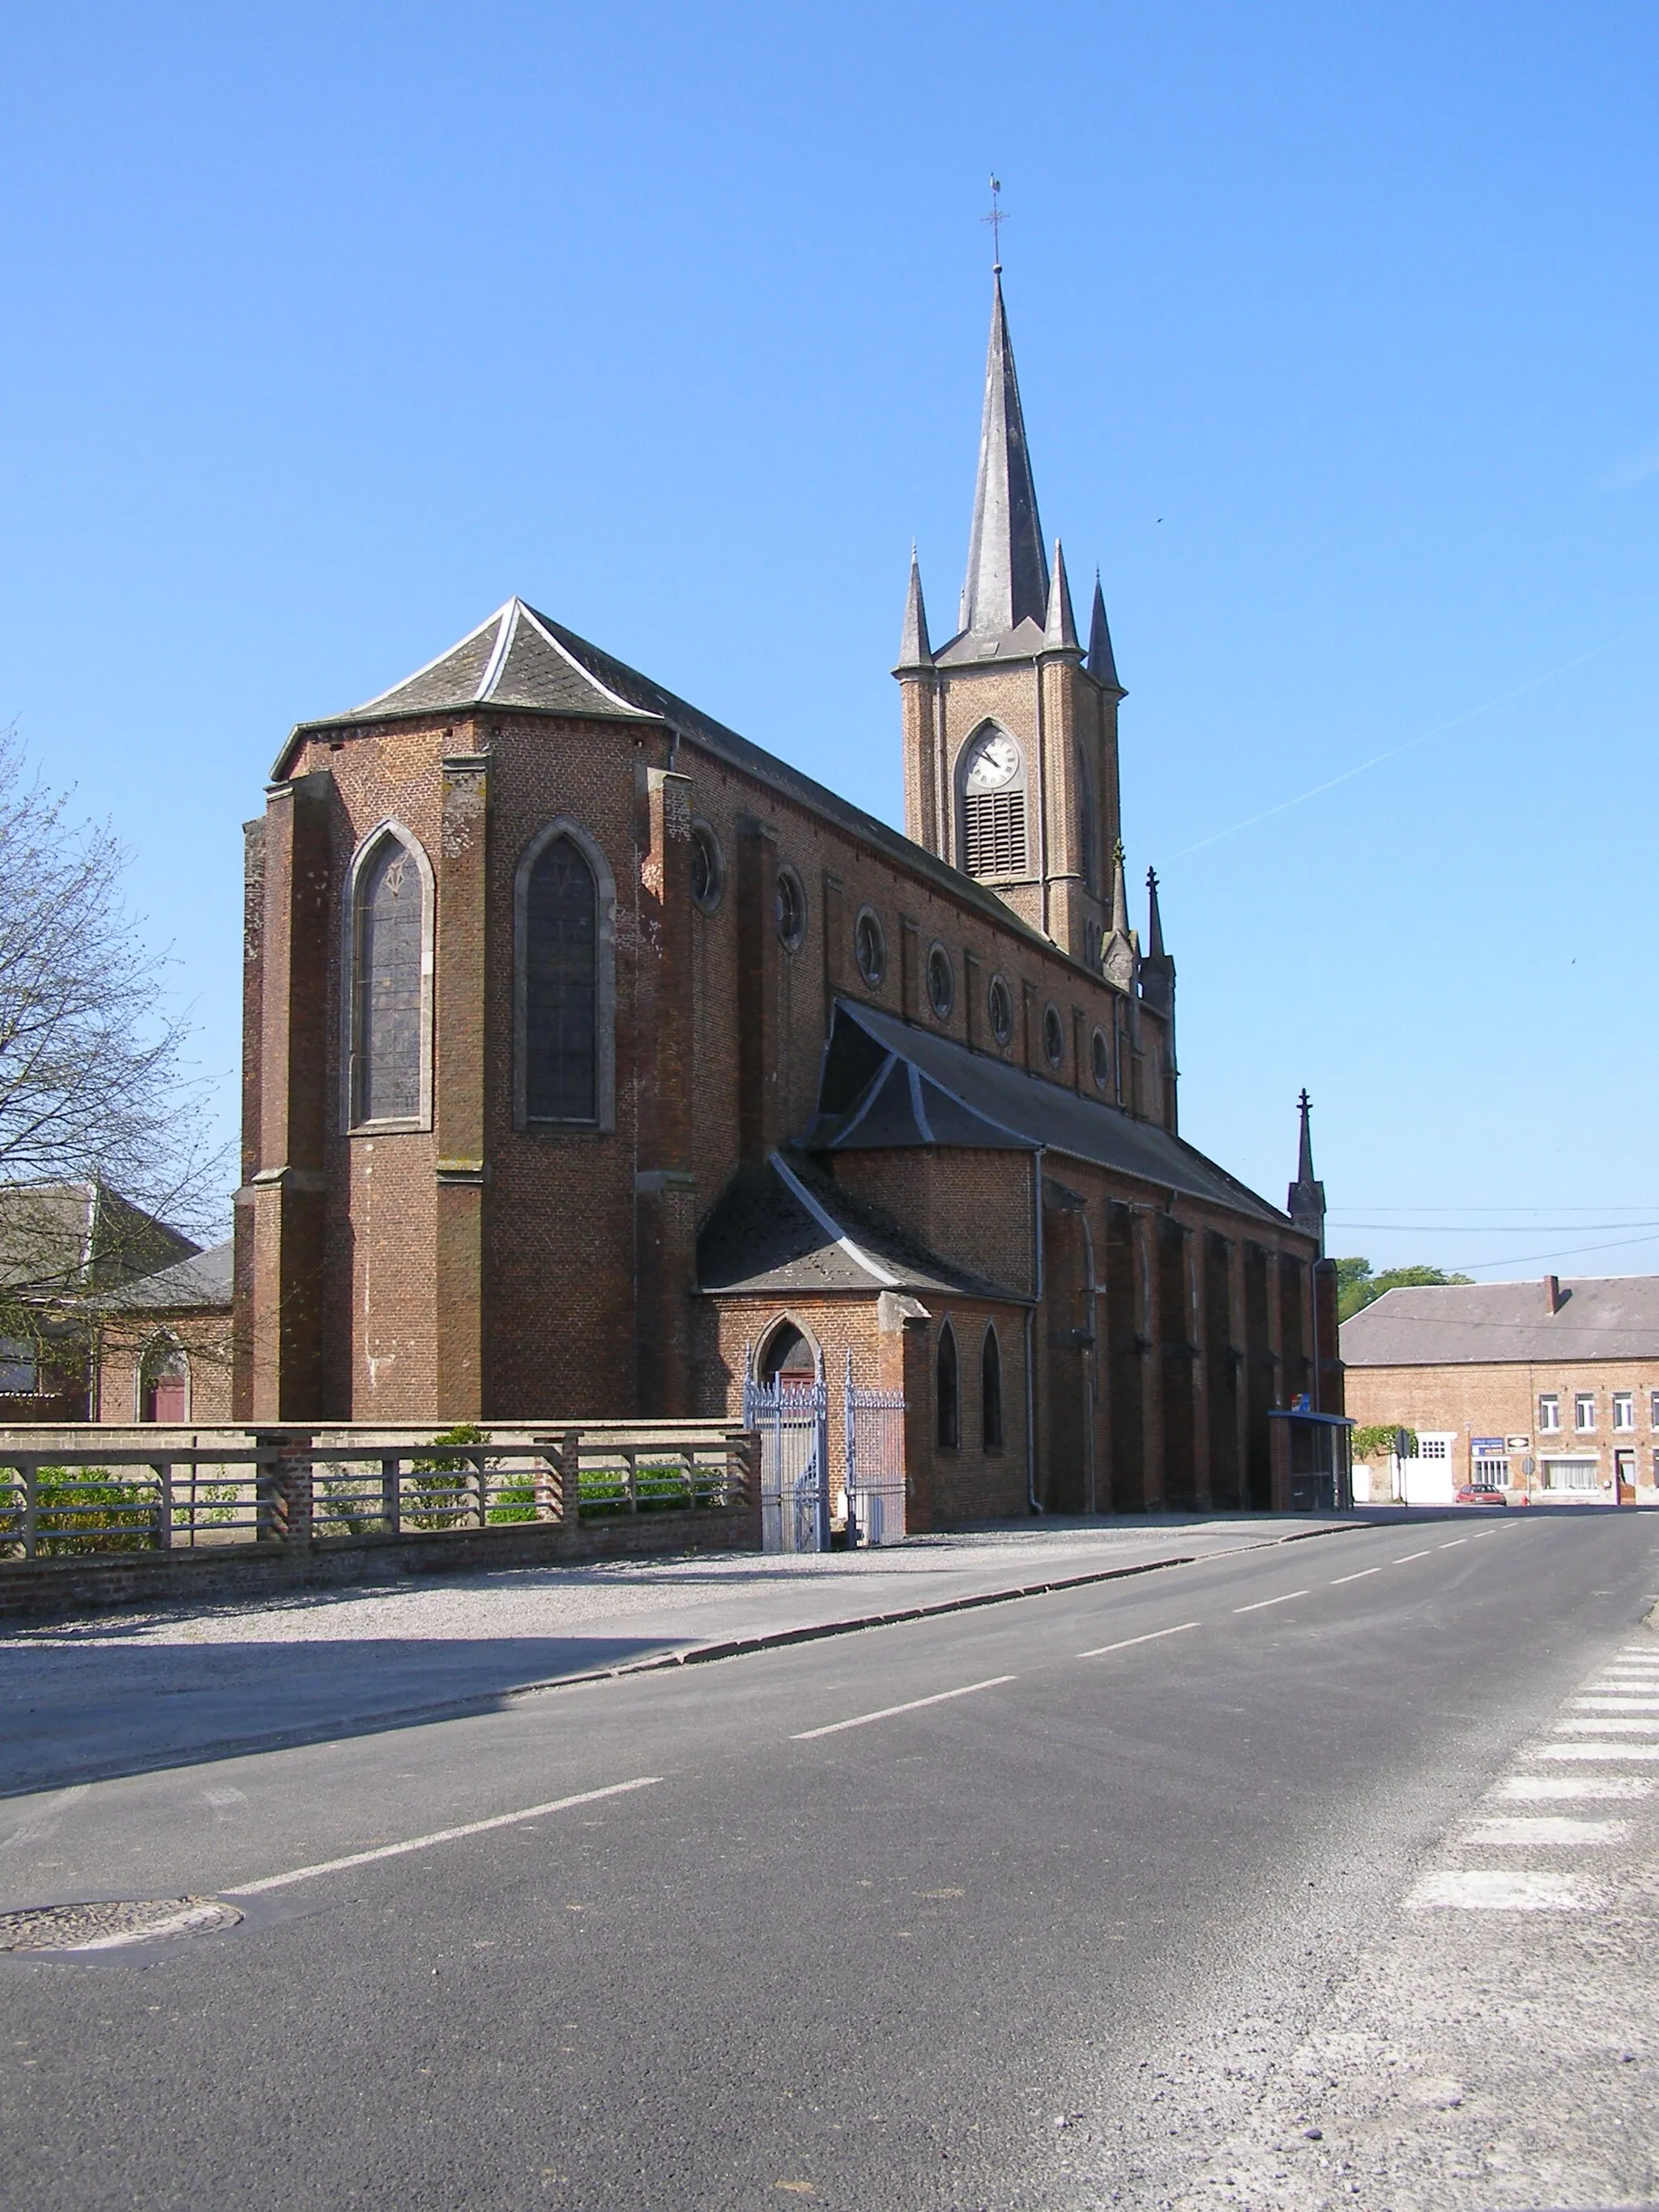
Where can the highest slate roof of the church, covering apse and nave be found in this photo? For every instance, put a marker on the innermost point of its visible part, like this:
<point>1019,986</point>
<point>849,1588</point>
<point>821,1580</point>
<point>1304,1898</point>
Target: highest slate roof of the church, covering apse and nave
<point>528,662</point>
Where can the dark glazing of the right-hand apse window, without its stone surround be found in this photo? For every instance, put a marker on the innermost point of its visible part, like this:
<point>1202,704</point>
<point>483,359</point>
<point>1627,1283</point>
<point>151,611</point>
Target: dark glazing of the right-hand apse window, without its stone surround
<point>563,988</point>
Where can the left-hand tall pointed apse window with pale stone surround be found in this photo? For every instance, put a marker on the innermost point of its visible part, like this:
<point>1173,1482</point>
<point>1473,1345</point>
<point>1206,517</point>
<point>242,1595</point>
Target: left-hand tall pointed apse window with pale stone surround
<point>390,999</point>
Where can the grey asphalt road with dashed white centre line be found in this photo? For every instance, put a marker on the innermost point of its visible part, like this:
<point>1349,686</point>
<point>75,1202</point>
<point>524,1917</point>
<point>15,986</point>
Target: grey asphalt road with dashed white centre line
<point>1032,1941</point>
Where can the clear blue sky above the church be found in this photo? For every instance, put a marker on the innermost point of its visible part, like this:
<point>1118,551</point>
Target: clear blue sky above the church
<point>331,328</point>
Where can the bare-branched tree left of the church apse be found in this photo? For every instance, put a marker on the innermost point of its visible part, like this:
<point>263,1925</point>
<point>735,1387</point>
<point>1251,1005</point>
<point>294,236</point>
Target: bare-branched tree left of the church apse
<point>96,1083</point>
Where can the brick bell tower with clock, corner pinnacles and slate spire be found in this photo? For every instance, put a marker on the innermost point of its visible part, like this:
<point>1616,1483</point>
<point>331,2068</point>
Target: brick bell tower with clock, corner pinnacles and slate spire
<point>1012,724</point>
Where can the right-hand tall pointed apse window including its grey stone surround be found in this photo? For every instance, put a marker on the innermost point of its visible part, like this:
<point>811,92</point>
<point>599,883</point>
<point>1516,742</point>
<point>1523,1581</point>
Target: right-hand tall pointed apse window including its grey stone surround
<point>563,983</point>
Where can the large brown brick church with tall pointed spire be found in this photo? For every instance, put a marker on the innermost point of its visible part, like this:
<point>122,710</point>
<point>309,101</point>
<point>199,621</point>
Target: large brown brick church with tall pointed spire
<point>598,1058</point>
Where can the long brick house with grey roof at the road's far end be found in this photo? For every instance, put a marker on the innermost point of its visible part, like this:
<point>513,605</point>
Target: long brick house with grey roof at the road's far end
<point>1547,1392</point>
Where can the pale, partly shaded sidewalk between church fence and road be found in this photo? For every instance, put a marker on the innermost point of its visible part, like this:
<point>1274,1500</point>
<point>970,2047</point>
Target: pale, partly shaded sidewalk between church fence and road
<point>125,1693</point>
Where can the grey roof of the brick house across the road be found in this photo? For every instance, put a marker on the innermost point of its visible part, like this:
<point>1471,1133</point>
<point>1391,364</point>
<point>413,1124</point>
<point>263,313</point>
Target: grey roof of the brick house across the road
<point>1611,1317</point>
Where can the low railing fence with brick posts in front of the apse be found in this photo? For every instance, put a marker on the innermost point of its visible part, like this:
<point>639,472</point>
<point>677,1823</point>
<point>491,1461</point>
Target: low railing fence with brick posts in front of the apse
<point>298,1488</point>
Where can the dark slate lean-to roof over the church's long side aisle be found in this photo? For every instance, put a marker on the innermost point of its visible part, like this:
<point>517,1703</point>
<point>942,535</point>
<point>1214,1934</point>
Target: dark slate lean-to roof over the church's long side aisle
<point>890,1085</point>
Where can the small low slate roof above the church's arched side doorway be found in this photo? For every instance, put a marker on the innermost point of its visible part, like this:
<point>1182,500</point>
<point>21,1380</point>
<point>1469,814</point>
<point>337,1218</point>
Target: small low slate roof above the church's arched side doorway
<point>791,1229</point>
